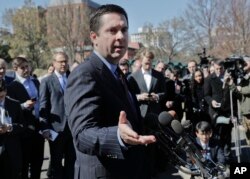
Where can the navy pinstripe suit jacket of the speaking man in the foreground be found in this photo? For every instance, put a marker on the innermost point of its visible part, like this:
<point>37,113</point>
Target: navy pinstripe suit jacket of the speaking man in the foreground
<point>93,100</point>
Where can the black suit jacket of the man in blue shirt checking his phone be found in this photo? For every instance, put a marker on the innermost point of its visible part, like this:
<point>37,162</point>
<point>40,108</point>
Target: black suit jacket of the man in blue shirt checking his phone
<point>17,91</point>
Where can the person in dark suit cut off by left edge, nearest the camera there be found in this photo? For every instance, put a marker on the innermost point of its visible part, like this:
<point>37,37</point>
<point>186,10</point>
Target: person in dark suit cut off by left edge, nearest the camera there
<point>10,132</point>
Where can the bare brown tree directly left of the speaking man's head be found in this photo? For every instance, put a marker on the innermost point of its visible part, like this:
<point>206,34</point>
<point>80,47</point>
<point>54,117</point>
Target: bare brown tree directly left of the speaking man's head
<point>68,26</point>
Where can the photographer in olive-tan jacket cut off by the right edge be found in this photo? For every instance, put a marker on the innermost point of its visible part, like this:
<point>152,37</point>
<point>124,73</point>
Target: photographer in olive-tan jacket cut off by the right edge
<point>243,91</point>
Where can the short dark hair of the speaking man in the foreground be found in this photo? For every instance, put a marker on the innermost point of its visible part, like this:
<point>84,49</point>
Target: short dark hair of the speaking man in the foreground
<point>95,16</point>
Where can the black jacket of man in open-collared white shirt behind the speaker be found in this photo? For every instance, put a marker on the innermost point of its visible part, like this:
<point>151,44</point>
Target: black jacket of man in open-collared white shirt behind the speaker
<point>138,86</point>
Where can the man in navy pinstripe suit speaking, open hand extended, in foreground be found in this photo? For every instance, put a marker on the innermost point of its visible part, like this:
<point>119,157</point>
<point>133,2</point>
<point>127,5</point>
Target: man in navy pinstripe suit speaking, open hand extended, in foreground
<point>102,112</point>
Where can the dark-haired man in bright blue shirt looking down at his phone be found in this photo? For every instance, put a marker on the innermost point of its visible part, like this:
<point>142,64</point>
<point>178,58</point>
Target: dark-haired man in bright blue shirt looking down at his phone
<point>25,89</point>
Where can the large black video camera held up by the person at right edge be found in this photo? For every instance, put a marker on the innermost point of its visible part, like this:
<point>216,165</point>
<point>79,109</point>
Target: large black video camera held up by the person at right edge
<point>235,66</point>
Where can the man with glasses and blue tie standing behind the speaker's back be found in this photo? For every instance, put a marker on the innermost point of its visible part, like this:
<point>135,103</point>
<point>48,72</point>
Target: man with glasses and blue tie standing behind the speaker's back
<point>54,120</point>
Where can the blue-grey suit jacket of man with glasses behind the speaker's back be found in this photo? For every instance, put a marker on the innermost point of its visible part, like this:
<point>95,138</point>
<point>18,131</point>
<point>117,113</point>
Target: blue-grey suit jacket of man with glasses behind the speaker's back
<point>52,109</point>
